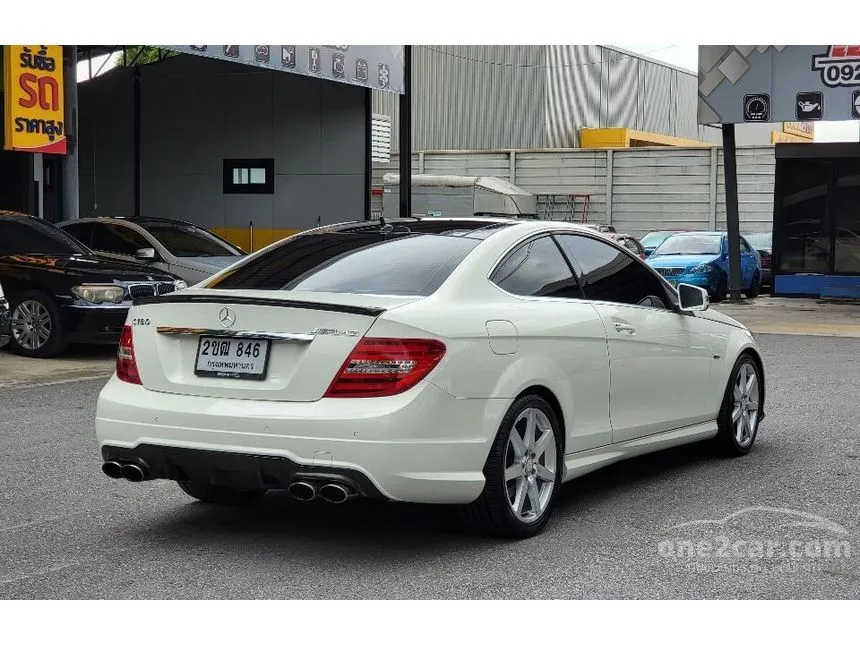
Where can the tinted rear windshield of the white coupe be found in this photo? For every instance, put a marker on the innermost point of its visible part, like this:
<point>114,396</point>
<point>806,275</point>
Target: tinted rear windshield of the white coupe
<point>365,261</point>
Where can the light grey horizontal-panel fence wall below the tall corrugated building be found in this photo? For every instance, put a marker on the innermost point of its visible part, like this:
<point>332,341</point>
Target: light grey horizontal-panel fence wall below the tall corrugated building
<point>650,188</point>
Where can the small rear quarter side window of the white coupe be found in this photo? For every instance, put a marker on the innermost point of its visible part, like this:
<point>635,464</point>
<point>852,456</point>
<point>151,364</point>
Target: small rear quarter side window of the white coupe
<point>537,268</point>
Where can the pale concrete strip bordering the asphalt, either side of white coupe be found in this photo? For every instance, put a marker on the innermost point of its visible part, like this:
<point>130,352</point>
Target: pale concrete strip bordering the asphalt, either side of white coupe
<point>762,315</point>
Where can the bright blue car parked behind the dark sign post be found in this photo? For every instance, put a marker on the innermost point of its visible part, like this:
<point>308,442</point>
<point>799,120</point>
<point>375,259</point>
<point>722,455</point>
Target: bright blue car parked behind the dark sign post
<point>702,259</point>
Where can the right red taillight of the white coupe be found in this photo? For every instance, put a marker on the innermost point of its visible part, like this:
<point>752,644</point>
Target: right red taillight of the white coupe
<point>385,366</point>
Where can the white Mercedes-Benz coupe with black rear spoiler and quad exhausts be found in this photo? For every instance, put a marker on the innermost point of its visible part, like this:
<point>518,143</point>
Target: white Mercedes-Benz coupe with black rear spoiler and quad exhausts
<point>476,362</point>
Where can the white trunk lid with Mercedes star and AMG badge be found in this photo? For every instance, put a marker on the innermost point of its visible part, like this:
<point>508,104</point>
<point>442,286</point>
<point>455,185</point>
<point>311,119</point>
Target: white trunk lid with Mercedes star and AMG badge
<point>309,336</point>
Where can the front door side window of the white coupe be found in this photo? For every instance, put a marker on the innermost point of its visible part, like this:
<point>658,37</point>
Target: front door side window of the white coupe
<point>610,275</point>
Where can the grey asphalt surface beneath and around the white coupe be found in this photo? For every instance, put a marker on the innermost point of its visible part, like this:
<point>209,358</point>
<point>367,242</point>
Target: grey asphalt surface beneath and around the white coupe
<point>782,522</point>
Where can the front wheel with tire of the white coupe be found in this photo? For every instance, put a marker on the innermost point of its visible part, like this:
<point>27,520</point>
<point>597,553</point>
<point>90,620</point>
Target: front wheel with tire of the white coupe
<point>740,412</point>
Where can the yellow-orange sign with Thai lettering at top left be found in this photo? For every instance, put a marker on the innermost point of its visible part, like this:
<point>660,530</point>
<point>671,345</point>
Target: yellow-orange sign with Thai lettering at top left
<point>33,91</point>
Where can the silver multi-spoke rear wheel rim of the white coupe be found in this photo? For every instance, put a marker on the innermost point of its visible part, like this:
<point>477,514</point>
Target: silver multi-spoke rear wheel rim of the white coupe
<point>530,465</point>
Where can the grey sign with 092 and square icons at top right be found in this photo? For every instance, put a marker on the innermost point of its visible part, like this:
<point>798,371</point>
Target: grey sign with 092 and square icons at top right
<point>778,83</point>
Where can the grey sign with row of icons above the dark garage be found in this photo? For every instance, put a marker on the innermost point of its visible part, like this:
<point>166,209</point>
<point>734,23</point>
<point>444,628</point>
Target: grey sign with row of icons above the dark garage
<point>378,67</point>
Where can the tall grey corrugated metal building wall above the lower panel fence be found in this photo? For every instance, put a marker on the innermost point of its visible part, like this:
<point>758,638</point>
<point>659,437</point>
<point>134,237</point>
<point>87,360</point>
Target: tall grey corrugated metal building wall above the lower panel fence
<point>476,97</point>
